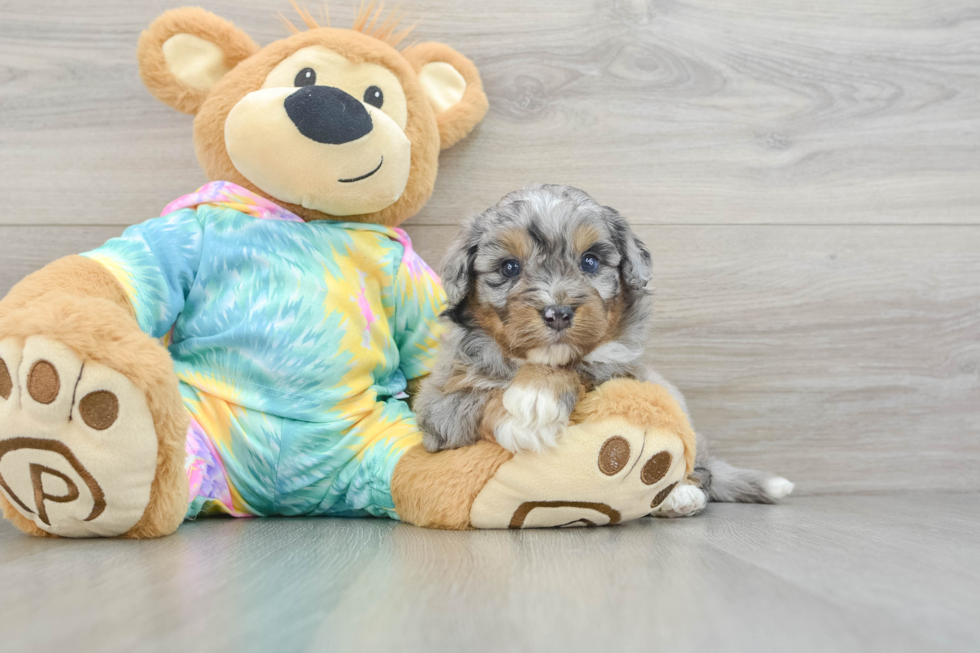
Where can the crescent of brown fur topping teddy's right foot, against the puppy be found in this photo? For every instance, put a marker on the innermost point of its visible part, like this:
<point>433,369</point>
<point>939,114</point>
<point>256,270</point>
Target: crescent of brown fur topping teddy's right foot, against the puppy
<point>640,403</point>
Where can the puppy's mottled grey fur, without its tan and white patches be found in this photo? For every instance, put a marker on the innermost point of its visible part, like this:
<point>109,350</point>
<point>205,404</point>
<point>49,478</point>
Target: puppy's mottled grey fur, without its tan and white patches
<point>550,274</point>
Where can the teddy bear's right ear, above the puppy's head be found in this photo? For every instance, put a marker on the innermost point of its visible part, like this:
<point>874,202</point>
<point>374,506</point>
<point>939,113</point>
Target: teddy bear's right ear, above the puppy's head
<point>452,85</point>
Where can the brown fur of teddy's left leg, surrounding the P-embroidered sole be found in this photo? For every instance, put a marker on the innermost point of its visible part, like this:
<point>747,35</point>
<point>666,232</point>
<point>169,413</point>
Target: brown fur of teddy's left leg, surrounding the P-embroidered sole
<point>76,301</point>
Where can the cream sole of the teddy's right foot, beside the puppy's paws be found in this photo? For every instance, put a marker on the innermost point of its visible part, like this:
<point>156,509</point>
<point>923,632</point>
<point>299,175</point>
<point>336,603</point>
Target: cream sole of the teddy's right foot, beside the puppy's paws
<point>600,473</point>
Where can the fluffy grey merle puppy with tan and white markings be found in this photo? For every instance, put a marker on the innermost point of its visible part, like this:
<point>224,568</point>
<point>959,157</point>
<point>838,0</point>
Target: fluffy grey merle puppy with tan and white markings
<point>547,298</point>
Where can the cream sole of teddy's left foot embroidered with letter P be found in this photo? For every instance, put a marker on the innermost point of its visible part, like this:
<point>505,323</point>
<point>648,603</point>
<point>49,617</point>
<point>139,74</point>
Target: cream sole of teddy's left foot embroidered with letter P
<point>77,443</point>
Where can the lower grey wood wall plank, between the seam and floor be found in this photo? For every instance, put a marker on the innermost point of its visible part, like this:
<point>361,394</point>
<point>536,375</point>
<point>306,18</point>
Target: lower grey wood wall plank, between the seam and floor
<point>845,358</point>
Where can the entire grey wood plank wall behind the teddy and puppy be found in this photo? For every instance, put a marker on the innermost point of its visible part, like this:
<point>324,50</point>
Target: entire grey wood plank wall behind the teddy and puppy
<point>806,174</point>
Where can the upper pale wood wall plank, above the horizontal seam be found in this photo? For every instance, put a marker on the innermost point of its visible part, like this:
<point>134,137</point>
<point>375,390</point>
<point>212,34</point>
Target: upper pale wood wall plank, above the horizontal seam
<point>688,112</point>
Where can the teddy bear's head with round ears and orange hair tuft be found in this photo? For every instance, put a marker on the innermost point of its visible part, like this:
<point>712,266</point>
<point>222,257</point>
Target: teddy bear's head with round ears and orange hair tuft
<point>332,124</point>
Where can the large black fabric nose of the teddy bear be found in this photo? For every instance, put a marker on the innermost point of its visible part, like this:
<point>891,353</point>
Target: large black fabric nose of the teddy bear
<point>328,115</point>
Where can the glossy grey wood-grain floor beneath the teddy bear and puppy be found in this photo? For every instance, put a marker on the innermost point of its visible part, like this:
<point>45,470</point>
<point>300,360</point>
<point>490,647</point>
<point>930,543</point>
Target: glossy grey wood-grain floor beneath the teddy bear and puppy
<point>891,574</point>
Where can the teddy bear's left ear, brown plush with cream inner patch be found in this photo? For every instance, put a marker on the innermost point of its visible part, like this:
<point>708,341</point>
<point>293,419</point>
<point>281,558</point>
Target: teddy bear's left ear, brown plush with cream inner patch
<point>185,51</point>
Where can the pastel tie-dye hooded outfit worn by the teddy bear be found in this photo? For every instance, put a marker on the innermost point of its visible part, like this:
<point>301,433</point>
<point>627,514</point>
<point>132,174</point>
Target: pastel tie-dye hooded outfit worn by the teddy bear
<point>293,342</point>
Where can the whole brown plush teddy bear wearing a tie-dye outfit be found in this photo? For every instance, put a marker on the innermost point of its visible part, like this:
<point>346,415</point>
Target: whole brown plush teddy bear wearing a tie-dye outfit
<point>249,351</point>
